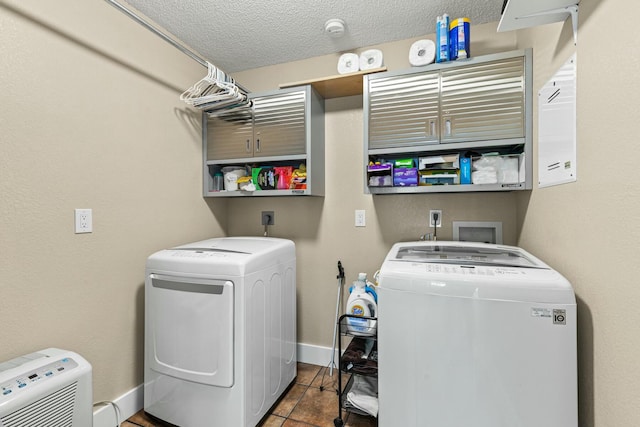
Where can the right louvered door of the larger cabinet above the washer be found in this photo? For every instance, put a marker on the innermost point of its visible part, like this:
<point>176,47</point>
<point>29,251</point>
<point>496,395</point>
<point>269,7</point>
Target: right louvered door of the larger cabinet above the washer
<point>484,101</point>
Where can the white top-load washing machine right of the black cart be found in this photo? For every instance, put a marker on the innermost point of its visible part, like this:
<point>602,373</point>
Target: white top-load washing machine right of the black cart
<point>473,334</point>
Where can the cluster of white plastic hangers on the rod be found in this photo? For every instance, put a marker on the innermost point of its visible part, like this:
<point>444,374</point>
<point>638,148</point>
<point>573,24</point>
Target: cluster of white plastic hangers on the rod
<point>216,93</point>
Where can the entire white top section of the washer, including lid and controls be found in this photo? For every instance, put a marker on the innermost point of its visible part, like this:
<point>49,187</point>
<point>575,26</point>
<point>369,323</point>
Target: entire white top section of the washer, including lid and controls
<point>472,270</point>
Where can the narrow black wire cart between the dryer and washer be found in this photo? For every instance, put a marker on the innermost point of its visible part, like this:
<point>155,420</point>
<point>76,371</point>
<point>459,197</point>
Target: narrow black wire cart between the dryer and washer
<point>358,363</point>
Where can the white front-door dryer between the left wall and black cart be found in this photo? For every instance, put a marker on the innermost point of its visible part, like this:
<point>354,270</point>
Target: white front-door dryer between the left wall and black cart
<point>220,330</point>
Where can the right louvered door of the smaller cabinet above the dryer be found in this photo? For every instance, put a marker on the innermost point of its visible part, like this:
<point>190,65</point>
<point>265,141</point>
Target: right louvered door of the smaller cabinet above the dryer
<point>279,124</point>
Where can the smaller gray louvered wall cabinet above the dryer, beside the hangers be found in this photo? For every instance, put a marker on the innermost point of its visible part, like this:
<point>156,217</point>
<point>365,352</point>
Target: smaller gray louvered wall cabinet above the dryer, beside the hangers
<point>283,128</point>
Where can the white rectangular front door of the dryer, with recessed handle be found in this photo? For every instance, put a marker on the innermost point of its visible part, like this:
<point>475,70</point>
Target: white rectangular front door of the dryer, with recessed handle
<point>190,328</point>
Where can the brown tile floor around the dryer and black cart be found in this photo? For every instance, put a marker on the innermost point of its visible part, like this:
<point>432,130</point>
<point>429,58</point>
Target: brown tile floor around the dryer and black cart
<point>304,405</point>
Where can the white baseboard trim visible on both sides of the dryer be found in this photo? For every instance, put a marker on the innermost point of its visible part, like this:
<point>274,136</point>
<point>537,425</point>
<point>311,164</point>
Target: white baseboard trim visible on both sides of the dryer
<point>133,400</point>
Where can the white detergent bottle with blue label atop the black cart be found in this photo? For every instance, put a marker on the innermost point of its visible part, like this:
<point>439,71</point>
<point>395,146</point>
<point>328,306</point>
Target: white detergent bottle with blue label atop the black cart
<point>362,302</point>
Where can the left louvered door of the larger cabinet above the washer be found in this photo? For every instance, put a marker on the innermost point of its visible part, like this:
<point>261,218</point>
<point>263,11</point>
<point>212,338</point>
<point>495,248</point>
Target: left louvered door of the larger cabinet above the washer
<point>402,110</point>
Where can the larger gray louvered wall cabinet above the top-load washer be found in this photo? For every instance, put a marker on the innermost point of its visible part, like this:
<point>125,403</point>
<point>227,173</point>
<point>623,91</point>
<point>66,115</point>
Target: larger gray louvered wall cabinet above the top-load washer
<point>469,107</point>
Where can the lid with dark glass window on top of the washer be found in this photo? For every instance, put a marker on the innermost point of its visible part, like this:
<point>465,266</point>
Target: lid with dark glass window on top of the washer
<point>465,254</point>
